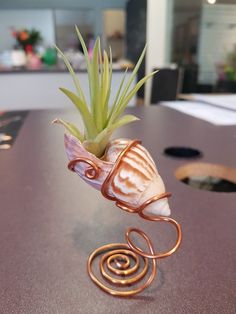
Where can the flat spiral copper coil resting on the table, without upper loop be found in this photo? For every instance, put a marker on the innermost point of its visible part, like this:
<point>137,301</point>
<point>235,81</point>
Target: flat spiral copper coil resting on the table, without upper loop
<point>119,254</point>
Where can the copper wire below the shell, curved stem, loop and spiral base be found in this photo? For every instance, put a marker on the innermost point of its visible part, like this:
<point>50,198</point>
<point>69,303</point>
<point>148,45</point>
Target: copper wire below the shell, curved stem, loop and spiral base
<point>116,260</point>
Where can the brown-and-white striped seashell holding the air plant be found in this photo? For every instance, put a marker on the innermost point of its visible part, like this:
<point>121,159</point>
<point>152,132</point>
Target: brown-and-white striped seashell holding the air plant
<point>130,178</point>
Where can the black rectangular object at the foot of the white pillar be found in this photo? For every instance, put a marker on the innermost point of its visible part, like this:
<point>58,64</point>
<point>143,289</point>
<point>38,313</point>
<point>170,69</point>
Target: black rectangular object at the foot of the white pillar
<point>165,85</point>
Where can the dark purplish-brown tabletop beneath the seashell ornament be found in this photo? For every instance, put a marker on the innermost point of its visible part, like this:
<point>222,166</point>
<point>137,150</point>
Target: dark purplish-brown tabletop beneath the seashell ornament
<point>51,221</point>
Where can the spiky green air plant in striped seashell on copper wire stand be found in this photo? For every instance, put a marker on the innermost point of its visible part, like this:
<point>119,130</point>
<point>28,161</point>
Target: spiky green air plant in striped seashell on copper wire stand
<point>122,169</point>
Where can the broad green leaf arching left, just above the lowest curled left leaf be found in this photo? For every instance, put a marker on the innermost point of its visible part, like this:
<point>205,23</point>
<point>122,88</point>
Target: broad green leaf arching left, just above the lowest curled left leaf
<point>91,129</point>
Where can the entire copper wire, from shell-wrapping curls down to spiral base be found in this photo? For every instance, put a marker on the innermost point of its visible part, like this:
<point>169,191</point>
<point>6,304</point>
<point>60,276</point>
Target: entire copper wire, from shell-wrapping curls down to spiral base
<point>116,266</point>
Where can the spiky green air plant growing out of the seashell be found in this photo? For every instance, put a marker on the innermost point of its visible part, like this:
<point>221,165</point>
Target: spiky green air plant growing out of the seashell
<point>100,120</point>
